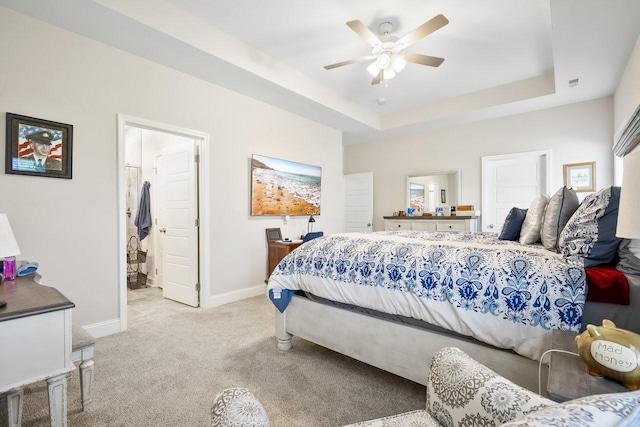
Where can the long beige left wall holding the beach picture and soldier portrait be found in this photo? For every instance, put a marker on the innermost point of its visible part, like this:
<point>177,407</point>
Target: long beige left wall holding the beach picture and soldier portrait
<point>71,226</point>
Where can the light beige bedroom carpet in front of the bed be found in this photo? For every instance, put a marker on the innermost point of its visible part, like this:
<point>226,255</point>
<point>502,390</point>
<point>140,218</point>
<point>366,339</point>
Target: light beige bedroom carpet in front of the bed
<point>167,367</point>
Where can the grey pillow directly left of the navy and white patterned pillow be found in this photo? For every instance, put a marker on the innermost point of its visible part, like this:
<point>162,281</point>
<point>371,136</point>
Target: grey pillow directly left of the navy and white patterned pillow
<point>560,208</point>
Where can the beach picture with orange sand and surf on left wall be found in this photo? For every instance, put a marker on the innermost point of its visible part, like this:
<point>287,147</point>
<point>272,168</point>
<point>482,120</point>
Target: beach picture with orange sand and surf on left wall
<point>284,187</point>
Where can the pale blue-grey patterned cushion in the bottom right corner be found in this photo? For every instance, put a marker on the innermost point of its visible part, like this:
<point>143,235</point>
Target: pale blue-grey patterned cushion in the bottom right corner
<point>601,410</point>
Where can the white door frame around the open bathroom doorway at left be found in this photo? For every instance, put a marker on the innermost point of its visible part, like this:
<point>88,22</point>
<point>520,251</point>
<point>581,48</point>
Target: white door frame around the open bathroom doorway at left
<point>203,191</point>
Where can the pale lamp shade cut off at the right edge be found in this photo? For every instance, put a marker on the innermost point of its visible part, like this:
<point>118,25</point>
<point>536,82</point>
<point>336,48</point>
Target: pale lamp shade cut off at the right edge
<point>629,209</point>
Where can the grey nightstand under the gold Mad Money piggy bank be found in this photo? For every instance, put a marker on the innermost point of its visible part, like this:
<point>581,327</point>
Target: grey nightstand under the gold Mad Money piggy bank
<point>568,376</point>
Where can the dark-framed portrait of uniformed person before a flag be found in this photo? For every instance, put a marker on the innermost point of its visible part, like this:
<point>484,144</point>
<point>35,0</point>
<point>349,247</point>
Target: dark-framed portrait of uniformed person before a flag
<point>38,147</point>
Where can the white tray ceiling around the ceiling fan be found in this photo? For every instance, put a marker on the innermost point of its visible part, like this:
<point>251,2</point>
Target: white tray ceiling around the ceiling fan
<point>501,56</point>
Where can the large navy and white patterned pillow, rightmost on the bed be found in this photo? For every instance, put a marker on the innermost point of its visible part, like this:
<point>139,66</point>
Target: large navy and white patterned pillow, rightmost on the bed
<point>590,234</point>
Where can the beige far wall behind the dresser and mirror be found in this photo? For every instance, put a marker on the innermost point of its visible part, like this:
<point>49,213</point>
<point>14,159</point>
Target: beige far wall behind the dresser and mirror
<point>574,133</point>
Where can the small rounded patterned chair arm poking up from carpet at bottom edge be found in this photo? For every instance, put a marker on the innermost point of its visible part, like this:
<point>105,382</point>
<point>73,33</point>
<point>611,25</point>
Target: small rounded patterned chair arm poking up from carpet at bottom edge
<point>238,407</point>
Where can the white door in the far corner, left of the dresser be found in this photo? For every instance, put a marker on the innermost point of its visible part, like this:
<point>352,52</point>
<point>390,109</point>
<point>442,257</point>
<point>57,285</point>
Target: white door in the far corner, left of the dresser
<point>358,202</point>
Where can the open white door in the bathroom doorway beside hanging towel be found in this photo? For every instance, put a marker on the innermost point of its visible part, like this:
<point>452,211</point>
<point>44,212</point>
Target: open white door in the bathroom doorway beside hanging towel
<point>179,229</point>
